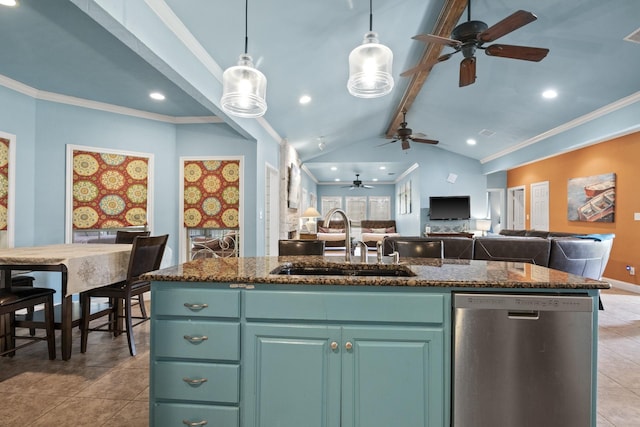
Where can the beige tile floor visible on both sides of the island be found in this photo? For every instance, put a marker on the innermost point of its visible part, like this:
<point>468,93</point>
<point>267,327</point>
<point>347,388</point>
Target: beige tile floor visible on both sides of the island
<point>107,387</point>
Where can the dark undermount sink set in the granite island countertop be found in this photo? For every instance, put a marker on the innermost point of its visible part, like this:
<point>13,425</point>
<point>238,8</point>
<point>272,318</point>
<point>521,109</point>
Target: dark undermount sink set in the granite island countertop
<point>344,270</point>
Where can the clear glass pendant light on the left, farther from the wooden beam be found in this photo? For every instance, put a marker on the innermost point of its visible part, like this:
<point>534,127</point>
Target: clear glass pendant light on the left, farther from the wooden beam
<point>243,86</point>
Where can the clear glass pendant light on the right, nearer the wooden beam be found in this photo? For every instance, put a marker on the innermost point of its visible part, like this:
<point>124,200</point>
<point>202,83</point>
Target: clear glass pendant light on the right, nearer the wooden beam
<point>370,66</point>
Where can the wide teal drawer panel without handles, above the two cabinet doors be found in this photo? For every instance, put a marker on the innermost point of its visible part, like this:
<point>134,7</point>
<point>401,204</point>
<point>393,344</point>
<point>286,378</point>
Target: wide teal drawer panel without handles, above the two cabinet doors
<point>409,307</point>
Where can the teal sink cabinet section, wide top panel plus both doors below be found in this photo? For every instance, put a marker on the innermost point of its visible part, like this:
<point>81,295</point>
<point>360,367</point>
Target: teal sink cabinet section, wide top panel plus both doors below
<point>333,370</point>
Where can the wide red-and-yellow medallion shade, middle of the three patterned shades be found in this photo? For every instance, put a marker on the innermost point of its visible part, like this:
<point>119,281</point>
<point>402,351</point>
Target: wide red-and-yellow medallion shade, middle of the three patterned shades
<point>109,190</point>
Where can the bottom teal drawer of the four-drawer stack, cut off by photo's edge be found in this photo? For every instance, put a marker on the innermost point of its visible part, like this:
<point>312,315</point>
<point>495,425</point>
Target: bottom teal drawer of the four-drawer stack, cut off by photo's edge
<point>173,414</point>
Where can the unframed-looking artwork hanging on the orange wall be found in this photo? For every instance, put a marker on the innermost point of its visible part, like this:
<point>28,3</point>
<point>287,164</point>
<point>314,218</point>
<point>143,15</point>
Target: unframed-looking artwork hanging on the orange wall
<point>592,198</point>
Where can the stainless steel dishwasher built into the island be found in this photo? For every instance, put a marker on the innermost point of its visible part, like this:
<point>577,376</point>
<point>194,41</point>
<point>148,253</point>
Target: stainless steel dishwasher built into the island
<point>522,360</point>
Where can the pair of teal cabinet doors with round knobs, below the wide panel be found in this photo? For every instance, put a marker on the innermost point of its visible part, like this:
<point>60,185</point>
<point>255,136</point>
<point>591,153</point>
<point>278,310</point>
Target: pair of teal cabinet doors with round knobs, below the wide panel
<point>352,376</point>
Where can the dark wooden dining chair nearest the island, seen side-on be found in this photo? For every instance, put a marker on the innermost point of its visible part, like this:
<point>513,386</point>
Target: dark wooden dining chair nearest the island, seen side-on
<point>146,255</point>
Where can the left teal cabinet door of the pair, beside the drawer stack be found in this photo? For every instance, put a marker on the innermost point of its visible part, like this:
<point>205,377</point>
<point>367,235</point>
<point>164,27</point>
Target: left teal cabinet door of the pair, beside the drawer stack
<point>291,376</point>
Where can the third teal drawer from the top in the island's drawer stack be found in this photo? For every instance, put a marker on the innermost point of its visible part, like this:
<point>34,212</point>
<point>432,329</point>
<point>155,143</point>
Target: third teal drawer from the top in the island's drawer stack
<point>221,385</point>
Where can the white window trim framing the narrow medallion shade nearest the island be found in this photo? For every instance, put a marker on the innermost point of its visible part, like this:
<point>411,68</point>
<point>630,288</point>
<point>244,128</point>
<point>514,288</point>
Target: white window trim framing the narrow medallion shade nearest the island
<point>182,249</point>
